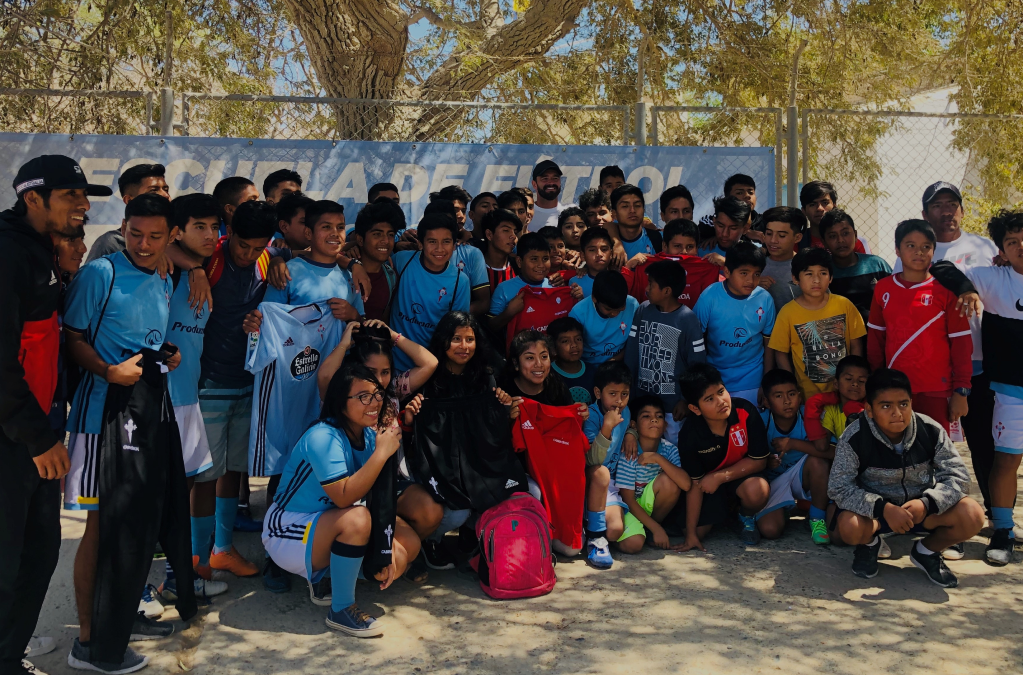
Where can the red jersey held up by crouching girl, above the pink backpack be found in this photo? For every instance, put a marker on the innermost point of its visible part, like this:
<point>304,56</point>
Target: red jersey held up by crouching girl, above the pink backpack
<point>556,458</point>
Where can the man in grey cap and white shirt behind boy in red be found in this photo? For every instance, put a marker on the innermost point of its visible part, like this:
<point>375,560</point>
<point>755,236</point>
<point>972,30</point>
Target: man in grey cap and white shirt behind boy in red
<point>944,210</point>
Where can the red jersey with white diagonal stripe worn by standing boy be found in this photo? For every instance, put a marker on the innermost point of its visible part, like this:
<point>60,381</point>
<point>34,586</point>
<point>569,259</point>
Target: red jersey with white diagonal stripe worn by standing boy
<point>917,330</point>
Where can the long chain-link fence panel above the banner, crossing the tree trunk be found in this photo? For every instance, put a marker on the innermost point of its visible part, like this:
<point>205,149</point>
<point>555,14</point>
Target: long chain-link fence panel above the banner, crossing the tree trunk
<point>341,119</point>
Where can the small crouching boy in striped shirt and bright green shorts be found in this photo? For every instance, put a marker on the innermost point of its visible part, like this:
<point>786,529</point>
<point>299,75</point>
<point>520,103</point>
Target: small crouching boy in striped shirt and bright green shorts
<point>651,484</point>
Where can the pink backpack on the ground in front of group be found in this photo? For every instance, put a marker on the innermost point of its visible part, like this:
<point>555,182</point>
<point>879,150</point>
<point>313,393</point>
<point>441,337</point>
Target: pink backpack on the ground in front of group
<point>516,559</point>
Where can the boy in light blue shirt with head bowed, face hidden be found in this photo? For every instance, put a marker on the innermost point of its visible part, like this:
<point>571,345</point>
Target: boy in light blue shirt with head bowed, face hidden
<point>606,319</point>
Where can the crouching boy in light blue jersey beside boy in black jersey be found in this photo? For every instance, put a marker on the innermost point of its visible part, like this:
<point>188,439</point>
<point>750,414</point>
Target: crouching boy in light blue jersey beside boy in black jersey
<point>796,470</point>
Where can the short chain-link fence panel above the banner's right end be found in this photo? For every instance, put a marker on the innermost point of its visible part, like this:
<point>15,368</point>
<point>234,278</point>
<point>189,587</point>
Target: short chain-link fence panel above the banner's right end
<point>732,127</point>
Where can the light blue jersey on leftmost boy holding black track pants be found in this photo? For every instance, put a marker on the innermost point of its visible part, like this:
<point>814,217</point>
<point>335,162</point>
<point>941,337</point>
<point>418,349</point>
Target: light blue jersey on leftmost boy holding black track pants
<point>120,309</point>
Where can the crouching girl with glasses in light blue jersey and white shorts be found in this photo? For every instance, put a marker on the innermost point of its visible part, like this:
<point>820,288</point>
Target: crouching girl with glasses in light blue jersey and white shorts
<point>317,523</point>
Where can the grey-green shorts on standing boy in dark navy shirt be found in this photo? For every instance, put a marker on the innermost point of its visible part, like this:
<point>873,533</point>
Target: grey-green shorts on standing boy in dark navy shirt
<point>227,414</point>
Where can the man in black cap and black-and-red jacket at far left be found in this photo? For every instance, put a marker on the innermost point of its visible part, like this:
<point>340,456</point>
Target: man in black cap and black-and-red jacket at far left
<point>53,199</point>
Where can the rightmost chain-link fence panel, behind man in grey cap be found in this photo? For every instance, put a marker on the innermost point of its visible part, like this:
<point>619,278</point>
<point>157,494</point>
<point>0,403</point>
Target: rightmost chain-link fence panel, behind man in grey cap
<point>881,162</point>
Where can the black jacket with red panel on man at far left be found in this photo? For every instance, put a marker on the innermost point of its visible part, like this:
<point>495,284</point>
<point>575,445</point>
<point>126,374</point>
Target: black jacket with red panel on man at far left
<point>30,337</point>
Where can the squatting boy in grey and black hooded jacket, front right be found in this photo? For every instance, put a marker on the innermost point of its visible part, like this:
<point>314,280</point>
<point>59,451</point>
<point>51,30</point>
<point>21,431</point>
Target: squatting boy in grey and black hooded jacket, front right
<point>897,471</point>
